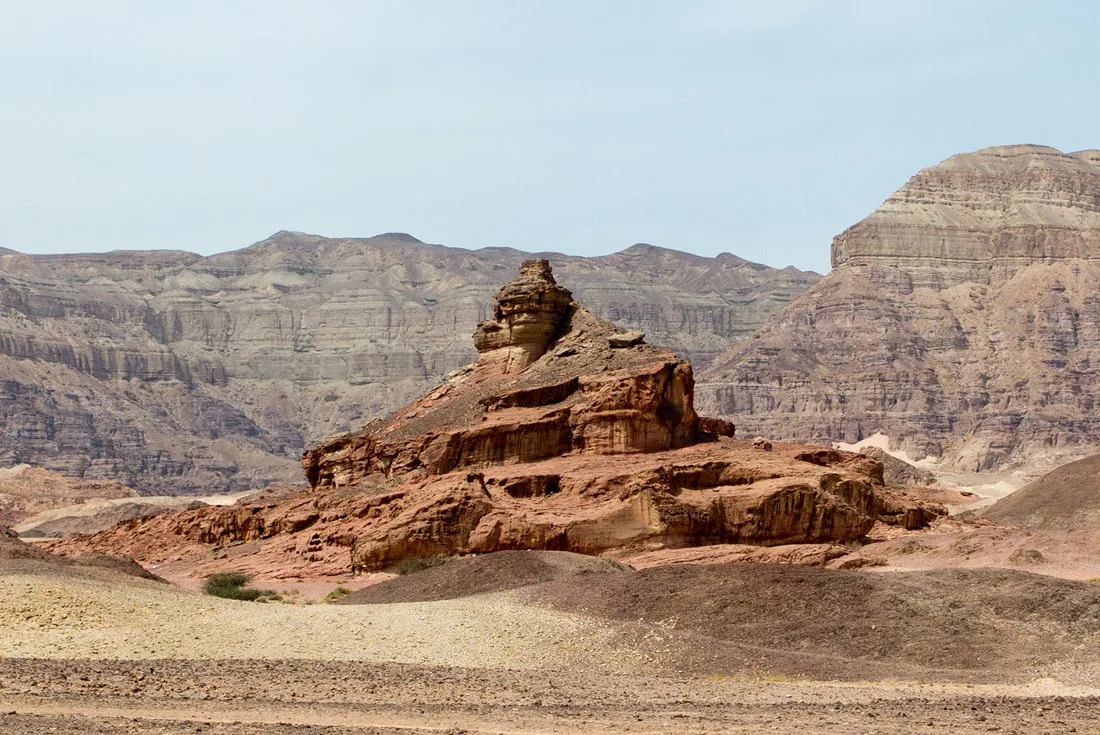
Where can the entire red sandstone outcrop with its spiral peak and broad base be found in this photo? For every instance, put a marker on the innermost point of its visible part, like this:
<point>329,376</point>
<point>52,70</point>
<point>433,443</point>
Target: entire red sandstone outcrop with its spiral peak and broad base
<point>563,436</point>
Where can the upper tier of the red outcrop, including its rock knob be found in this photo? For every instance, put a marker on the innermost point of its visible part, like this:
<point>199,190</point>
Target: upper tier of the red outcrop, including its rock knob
<point>553,379</point>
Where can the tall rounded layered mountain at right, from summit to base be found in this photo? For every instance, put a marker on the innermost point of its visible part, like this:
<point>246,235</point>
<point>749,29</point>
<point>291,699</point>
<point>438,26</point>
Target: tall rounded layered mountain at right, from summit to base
<point>961,320</point>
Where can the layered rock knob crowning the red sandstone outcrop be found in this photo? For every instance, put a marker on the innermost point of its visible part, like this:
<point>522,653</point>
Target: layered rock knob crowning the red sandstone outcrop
<point>527,316</point>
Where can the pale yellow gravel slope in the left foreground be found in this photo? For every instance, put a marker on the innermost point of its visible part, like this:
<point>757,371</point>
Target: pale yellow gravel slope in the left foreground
<point>94,617</point>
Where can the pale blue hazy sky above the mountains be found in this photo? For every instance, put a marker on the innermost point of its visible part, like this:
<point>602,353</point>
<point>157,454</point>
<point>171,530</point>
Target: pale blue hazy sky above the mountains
<point>763,129</point>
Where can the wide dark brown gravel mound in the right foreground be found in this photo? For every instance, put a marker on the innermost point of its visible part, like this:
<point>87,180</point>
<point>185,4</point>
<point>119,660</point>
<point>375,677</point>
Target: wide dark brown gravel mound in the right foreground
<point>973,624</point>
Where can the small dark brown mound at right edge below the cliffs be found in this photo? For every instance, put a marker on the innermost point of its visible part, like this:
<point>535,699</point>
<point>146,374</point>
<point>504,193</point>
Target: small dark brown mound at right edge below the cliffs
<point>1068,499</point>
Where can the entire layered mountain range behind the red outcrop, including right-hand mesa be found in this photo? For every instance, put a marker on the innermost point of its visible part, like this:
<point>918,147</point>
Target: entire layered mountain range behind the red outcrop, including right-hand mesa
<point>962,319</point>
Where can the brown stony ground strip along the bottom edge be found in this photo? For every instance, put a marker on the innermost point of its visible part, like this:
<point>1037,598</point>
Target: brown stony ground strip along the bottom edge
<point>252,697</point>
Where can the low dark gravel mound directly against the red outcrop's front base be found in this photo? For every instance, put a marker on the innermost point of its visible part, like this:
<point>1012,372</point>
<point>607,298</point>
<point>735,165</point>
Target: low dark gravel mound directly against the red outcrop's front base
<point>490,573</point>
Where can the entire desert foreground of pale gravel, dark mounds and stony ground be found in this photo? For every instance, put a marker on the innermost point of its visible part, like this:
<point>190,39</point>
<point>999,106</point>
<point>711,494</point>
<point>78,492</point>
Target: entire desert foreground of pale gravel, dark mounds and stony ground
<point>579,648</point>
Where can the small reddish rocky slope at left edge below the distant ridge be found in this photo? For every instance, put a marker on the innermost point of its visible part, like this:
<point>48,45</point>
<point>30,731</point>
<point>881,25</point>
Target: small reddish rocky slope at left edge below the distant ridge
<point>28,491</point>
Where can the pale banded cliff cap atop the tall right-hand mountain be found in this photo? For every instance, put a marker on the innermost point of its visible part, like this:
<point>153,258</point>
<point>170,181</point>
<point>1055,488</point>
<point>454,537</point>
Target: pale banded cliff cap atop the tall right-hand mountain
<point>983,217</point>
